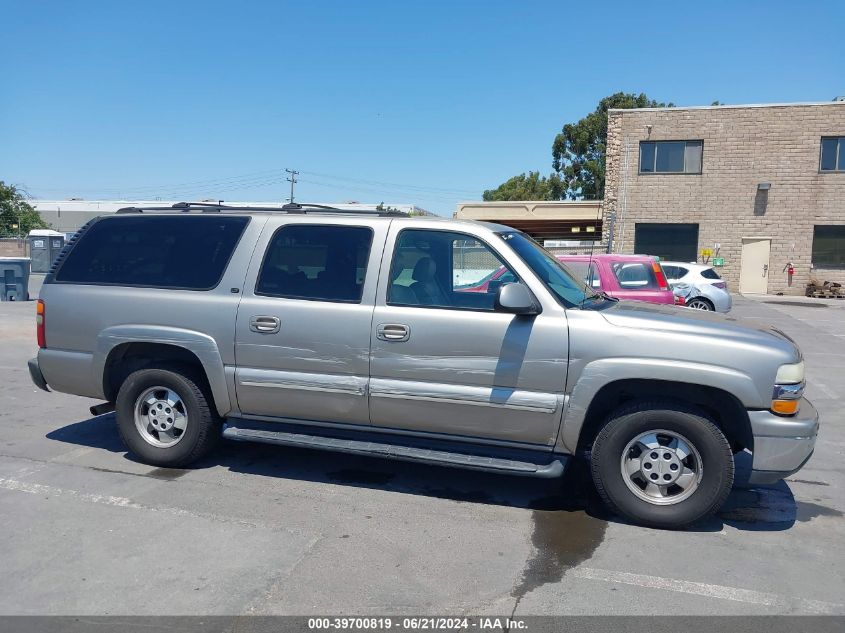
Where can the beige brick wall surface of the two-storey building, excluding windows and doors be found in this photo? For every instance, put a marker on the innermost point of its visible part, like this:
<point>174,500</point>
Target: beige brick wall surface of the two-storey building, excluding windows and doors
<point>743,146</point>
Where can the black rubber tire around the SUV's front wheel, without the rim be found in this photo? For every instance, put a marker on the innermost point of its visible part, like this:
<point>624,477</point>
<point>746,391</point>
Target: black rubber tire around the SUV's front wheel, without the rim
<point>626,424</point>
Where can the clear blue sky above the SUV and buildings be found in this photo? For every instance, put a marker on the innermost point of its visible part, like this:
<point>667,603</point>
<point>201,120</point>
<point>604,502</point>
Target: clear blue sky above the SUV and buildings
<point>419,102</point>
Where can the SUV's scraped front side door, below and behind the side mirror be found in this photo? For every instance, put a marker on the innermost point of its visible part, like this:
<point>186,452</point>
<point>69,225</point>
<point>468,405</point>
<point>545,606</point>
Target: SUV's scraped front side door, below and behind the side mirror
<point>461,371</point>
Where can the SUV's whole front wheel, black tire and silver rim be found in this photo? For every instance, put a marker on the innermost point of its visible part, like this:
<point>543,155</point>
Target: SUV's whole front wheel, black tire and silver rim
<point>662,464</point>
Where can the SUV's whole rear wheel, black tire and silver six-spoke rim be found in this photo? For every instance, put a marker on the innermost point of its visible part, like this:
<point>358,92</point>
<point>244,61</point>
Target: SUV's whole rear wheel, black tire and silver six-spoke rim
<point>164,416</point>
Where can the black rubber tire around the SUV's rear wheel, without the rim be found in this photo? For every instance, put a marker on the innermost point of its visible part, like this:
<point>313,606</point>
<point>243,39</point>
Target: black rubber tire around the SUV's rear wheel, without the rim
<point>201,433</point>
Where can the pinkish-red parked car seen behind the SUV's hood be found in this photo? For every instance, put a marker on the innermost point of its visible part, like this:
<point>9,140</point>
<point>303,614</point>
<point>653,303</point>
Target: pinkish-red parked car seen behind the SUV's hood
<point>630,277</point>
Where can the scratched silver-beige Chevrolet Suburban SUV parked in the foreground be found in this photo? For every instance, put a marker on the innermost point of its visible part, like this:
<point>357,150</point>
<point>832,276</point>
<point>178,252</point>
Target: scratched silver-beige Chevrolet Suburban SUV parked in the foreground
<point>371,334</point>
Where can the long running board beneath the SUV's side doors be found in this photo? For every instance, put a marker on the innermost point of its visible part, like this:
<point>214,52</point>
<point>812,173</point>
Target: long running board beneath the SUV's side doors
<point>541,463</point>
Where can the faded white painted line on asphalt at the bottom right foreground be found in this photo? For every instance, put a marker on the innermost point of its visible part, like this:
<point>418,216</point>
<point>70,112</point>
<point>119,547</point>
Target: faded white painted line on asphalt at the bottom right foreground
<point>799,605</point>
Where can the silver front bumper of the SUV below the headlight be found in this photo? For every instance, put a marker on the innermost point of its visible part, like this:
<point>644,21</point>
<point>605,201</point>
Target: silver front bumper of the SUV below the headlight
<point>782,445</point>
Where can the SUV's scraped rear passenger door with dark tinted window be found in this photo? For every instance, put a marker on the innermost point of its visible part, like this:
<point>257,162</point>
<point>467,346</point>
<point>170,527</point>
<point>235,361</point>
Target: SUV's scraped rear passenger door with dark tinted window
<point>301,356</point>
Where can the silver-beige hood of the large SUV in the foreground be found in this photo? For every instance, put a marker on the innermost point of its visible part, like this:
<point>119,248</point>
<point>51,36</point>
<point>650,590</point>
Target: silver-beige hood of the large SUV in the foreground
<point>678,320</point>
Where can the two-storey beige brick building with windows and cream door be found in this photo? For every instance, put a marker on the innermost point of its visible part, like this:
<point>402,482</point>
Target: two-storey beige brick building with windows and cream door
<point>750,187</point>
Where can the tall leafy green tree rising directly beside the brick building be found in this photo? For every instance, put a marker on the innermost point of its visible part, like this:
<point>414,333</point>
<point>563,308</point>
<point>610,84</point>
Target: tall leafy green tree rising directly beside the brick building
<point>579,151</point>
